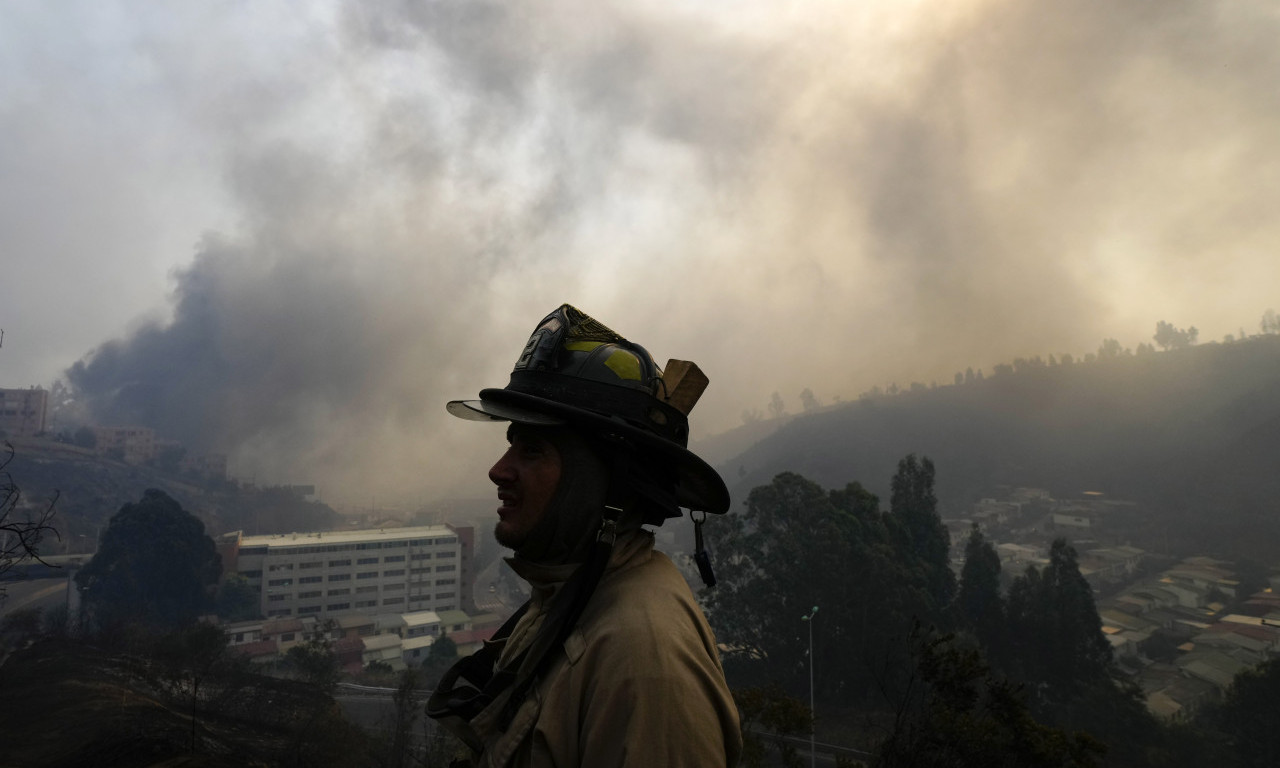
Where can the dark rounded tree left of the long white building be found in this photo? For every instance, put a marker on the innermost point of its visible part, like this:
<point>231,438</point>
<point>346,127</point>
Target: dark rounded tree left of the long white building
<point>154,568</point>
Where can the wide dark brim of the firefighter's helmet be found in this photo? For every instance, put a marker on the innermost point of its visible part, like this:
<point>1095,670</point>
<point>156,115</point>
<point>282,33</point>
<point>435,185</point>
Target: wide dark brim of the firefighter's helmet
<point>698,486</point>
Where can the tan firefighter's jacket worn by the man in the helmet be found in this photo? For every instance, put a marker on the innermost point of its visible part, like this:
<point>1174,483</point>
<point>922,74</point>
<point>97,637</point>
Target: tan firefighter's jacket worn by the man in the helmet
<point>639,684</point>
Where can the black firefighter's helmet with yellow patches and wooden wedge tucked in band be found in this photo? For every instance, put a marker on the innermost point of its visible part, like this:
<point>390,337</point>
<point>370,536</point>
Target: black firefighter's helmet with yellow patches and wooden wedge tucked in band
<point>577,372</point>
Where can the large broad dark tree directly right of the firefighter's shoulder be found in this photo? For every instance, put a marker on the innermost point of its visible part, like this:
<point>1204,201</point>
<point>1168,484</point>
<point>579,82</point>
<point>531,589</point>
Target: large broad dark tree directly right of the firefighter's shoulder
<point>797,547</point>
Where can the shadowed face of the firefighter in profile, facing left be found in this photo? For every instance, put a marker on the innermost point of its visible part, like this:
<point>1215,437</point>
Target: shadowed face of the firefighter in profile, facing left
<point>527,477</point>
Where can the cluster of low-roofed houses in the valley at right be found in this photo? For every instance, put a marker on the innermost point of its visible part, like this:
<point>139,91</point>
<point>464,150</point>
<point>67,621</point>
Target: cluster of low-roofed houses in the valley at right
<point>1172,625</point>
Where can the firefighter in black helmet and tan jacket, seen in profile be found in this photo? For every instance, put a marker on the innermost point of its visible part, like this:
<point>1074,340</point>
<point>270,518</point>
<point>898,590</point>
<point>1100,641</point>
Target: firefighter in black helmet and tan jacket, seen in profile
<point>611,662</point>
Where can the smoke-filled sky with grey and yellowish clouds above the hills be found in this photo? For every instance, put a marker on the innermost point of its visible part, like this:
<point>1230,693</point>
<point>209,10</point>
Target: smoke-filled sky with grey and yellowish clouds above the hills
<point>294,231</point>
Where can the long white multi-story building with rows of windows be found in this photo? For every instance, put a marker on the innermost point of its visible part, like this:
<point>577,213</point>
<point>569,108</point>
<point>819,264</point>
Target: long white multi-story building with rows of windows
<point>368,572</point>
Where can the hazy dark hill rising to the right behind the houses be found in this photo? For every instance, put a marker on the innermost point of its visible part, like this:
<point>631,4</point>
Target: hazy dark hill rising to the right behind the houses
<point>1194,431</point>
